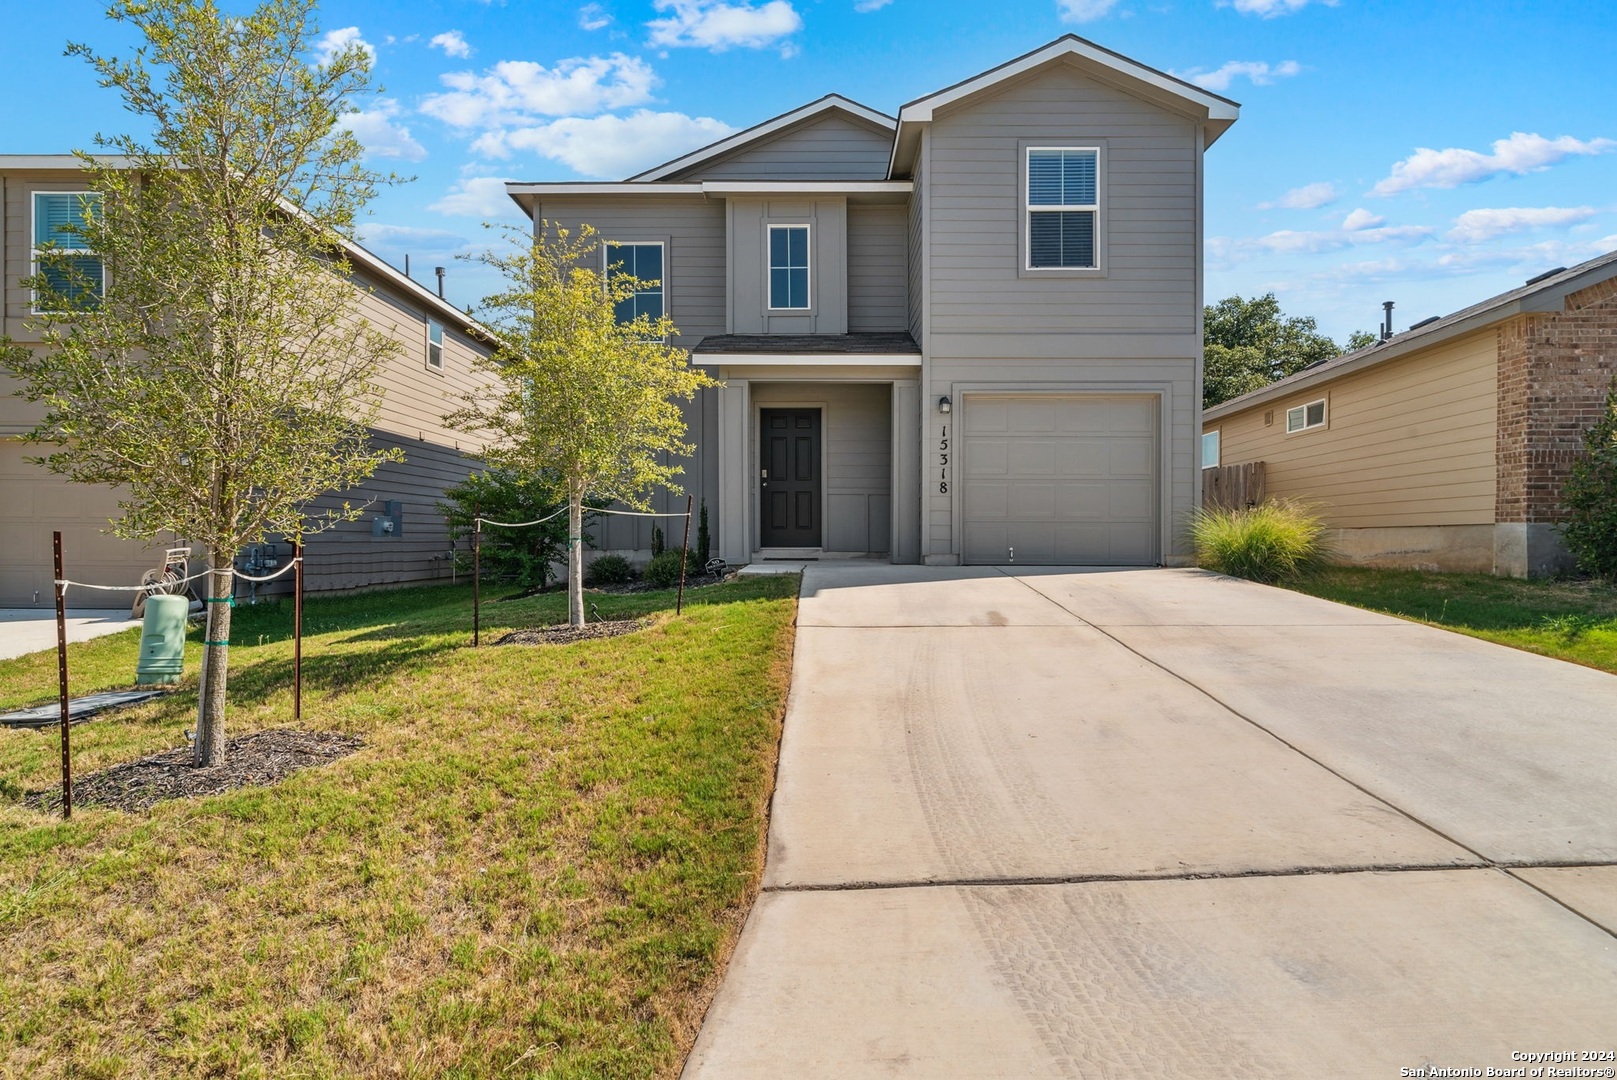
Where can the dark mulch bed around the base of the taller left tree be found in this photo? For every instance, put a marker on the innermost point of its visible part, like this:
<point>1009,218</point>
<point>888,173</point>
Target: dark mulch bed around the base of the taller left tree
<point>261,757</point>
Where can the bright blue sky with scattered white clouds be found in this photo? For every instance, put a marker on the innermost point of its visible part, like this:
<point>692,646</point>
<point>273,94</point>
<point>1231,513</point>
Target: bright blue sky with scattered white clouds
<point>1432,154</point>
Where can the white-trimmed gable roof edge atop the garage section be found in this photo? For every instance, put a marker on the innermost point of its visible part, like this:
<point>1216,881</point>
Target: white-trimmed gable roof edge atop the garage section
<point>1168,91</point>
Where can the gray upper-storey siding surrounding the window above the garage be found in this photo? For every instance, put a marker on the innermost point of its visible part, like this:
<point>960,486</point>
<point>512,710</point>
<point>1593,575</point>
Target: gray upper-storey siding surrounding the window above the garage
<point>1149,213</point>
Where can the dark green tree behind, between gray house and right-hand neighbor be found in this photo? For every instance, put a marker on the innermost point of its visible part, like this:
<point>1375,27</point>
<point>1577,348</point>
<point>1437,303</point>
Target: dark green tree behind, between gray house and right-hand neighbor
<point>1248,345</point>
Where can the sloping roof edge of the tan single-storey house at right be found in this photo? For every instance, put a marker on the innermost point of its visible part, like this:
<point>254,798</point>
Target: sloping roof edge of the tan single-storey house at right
<point>1545,293</point>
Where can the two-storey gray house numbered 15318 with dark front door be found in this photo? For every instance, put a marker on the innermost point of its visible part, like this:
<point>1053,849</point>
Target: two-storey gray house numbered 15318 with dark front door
<point>966,335</point>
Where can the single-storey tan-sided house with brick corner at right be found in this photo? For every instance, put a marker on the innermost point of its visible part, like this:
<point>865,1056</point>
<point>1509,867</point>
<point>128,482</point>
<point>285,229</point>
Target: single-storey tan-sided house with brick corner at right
<point>1448,445</point>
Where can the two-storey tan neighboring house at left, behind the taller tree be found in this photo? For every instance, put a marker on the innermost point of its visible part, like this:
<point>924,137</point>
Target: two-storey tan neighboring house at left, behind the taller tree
<point>402,536</point>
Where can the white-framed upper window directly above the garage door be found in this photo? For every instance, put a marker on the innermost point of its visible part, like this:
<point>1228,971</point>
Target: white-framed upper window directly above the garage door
<point>1063,208</point>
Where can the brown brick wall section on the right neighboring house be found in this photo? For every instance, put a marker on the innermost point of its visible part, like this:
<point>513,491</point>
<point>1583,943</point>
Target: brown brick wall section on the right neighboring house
<point>1555,371</point>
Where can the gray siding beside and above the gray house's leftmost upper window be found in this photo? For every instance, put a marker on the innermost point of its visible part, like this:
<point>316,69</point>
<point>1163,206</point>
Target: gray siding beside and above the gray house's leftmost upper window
<point>693,229</point>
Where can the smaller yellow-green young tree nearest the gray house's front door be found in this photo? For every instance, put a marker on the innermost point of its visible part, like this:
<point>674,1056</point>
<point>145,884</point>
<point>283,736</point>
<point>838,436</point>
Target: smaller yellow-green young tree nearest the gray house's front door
<point>578,394</point>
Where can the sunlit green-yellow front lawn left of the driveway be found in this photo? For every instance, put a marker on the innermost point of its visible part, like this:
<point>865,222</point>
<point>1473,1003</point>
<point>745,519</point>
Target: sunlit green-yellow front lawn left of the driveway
<point>536,866</point>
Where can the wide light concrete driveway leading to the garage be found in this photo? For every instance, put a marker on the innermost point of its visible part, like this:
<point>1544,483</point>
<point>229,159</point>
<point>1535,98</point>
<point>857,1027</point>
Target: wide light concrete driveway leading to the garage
<point>1163,824</point>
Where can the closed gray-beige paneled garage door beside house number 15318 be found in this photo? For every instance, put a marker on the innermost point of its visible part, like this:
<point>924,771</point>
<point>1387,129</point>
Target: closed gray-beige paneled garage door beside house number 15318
<point>1060,479</point>
